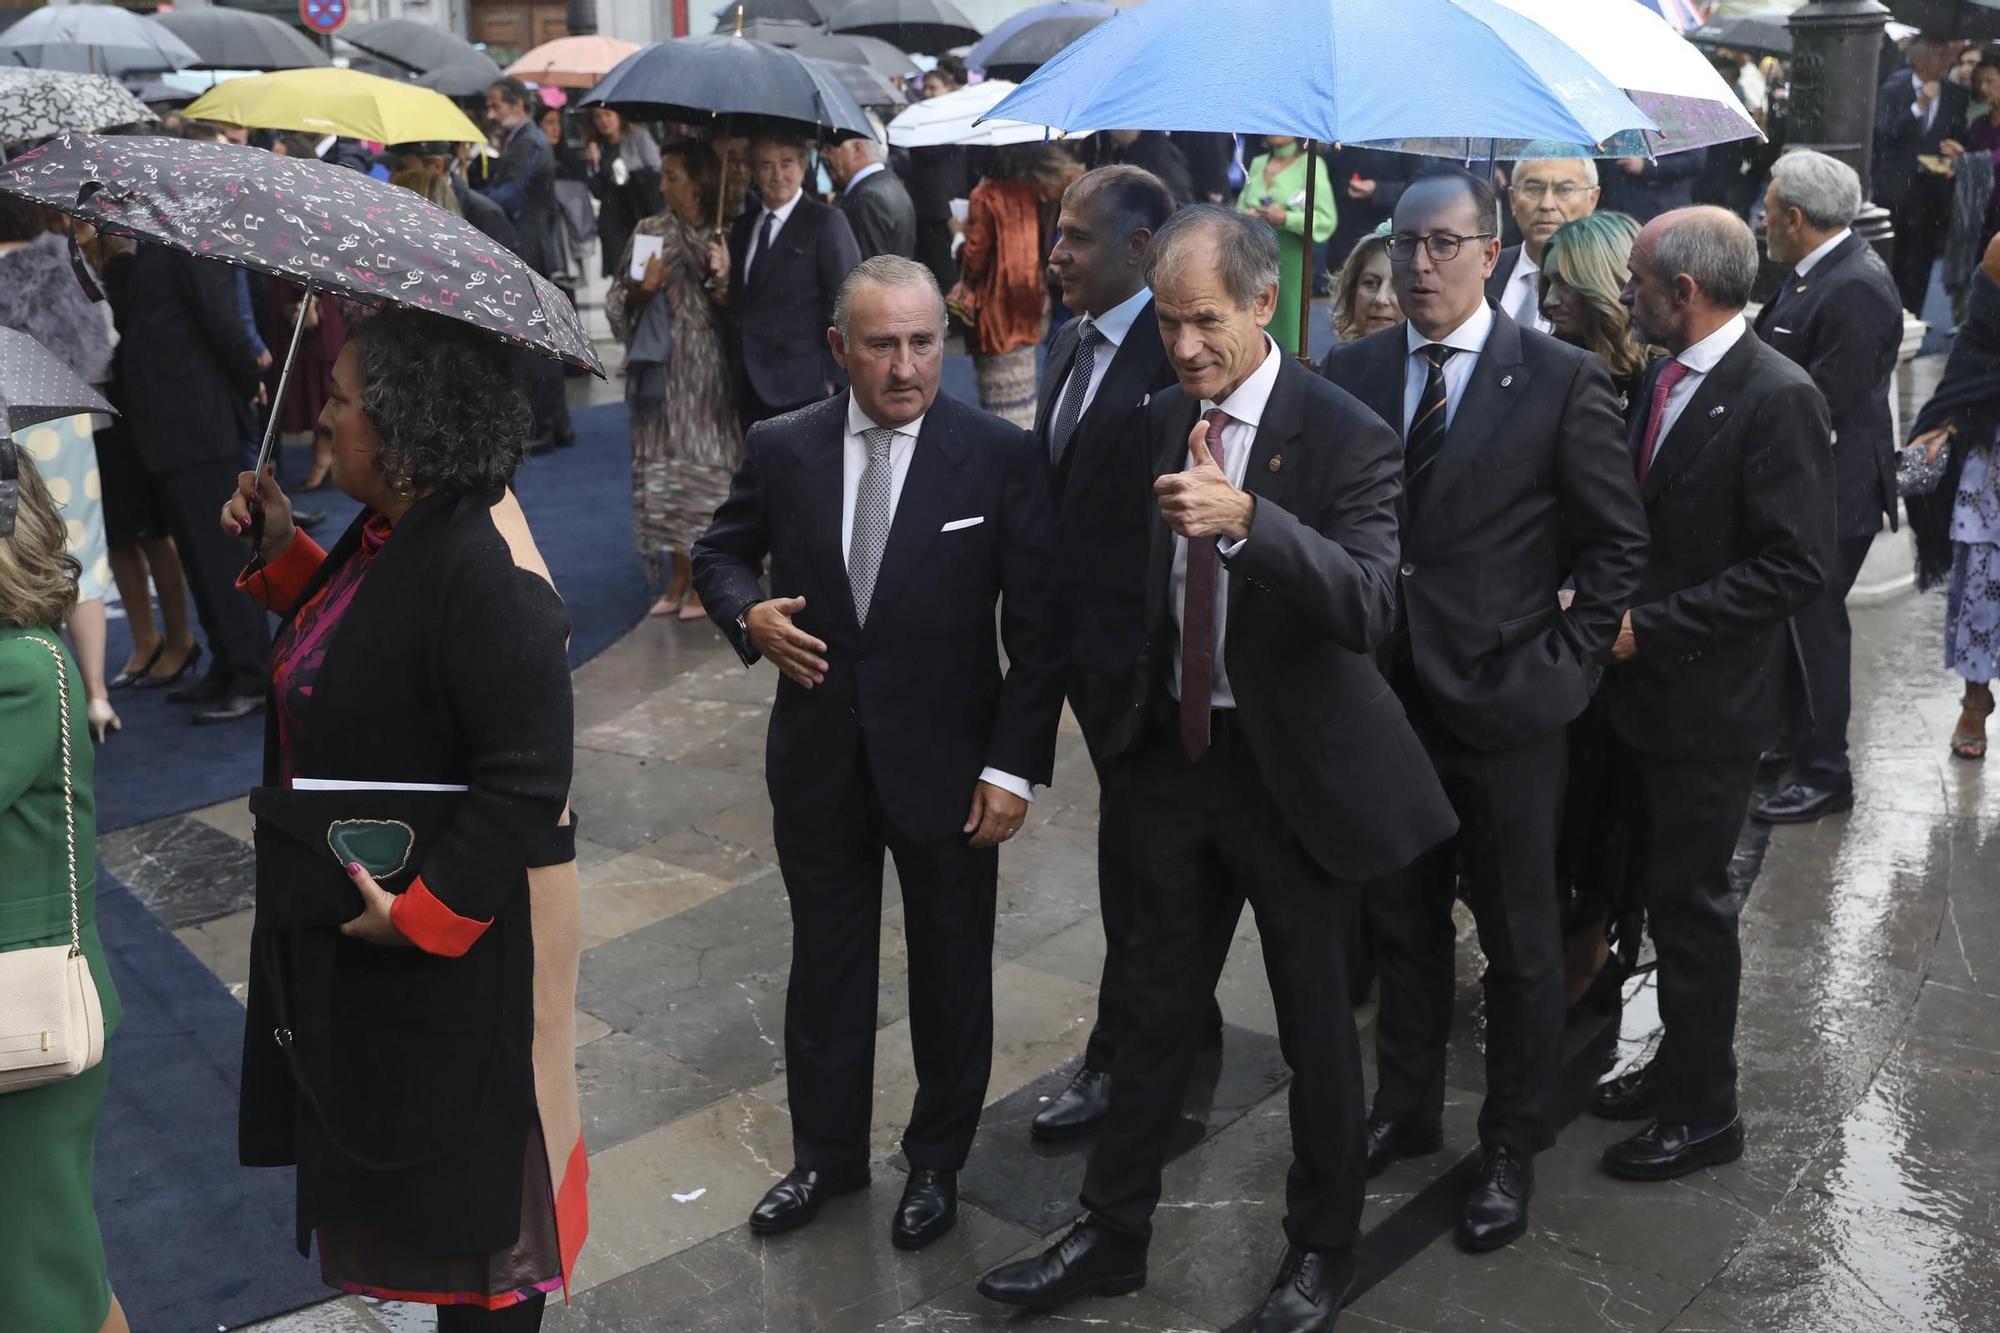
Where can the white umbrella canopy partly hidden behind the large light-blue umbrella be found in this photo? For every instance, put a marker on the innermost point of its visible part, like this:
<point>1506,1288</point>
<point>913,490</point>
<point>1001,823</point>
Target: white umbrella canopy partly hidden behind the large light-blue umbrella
<point>1651,63</point>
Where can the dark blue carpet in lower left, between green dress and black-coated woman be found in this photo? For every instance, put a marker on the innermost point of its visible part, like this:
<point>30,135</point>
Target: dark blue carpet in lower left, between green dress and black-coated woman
<point>193,1240</point>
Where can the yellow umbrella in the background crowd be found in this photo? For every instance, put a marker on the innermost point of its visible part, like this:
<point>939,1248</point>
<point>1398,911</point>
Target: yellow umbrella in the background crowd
<point>337,103</point>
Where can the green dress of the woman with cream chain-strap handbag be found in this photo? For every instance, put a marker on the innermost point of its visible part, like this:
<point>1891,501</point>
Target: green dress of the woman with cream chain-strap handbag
<point>51,1254</point>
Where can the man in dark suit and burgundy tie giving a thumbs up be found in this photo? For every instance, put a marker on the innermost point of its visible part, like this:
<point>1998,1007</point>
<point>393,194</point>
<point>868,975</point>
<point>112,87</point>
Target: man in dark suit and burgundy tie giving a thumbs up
<point>1269,762</point>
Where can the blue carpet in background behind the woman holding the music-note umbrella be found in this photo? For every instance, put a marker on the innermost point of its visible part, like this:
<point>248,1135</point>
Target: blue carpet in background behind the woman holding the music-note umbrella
<point>579,501</point>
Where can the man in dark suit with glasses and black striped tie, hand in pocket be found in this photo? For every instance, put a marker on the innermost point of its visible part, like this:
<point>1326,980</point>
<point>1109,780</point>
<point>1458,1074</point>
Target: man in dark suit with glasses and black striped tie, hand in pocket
<point>1515,487</point>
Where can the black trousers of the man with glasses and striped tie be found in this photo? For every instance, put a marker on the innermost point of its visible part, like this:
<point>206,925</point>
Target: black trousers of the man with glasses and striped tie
<point>1509,810</point>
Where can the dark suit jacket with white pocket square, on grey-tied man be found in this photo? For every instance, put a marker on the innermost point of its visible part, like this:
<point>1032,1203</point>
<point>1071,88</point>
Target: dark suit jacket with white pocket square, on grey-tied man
<point>919,690</point>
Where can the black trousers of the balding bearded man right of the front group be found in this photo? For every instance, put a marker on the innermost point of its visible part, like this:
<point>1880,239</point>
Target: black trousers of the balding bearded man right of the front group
<point>1687,816</point>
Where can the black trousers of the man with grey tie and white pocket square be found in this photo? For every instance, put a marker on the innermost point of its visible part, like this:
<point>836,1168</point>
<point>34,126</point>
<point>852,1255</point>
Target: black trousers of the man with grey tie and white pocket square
<point>833,876</point>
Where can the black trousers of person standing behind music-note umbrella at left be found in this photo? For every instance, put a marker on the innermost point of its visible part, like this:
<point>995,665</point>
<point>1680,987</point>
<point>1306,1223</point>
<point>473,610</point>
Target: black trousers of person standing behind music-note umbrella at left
<point>237,627</point>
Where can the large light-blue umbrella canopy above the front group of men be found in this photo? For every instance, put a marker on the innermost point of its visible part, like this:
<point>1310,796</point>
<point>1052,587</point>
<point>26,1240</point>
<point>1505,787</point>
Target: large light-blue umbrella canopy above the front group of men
<point>1315,69</point>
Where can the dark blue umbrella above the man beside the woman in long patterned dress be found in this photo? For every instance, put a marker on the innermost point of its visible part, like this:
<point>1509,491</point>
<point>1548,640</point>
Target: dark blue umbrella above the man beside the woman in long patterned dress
<point>703,77</point>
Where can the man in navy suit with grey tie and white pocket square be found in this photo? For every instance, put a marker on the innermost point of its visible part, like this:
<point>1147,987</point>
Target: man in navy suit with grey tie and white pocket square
<point>899,527</point>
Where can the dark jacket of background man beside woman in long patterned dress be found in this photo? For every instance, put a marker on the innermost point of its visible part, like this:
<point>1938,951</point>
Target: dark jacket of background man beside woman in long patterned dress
<point>781,317</point>
